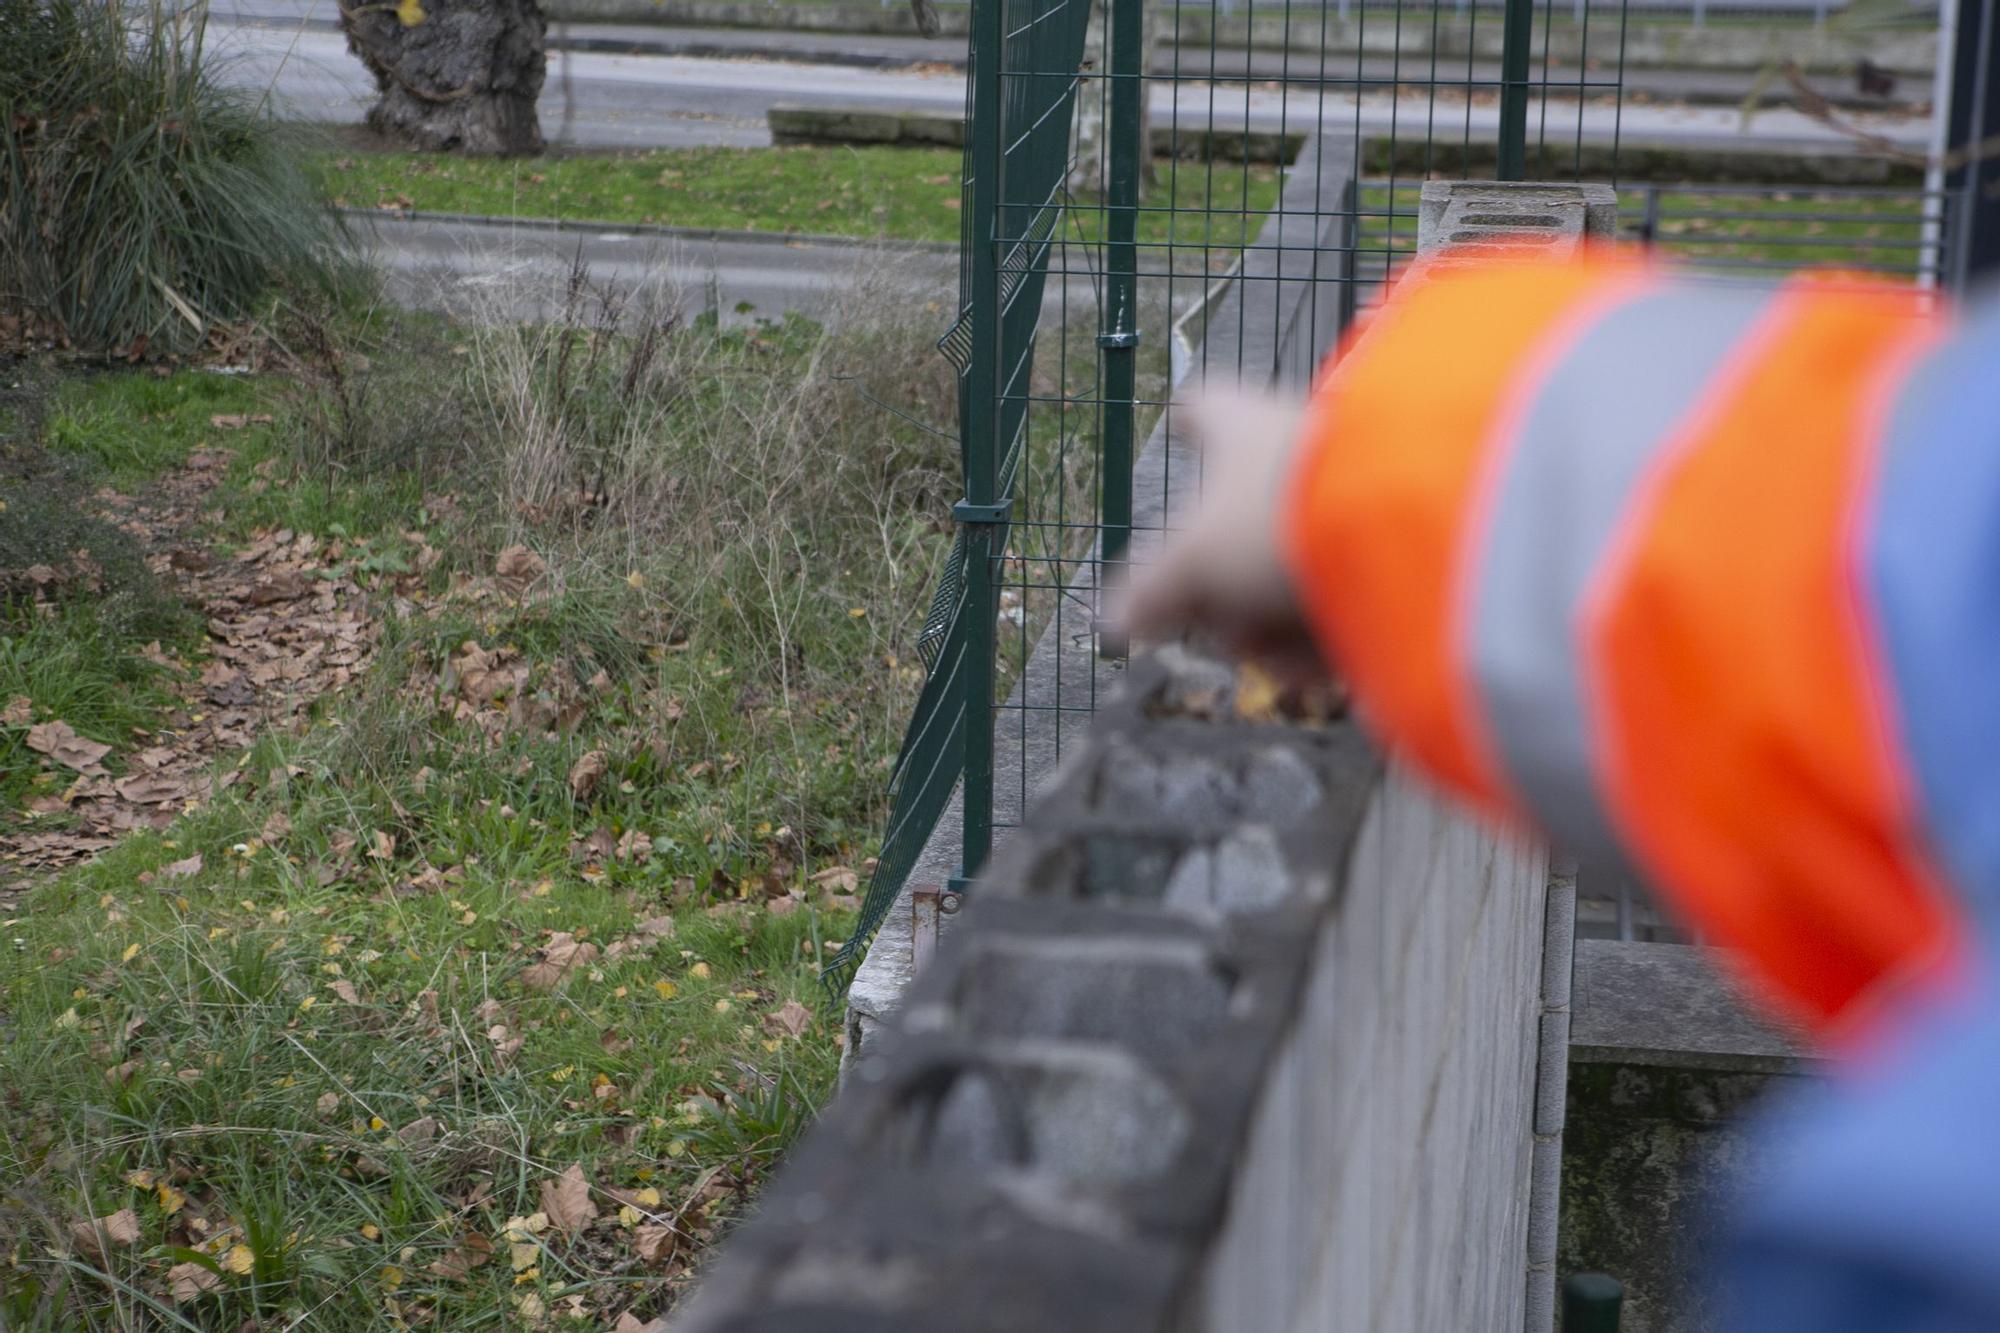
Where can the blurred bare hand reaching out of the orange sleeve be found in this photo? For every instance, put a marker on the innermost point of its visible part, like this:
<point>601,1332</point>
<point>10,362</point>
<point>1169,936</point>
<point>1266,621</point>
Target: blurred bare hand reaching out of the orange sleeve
<point>1221,571</point>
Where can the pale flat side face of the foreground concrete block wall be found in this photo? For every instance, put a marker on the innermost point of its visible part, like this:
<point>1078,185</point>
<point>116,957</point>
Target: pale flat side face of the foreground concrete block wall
<point>1385,1184</point>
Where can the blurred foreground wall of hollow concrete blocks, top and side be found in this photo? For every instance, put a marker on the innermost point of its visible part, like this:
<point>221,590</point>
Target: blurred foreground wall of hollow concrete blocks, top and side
<point>1241,1032</point>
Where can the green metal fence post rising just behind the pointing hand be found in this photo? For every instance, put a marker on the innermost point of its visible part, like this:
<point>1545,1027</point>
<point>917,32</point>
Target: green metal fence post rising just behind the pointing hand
<point>1119,317</point>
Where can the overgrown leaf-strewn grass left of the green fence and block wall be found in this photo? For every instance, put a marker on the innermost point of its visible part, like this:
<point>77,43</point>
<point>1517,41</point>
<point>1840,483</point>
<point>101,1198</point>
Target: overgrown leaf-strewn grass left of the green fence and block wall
<point>481,990</point>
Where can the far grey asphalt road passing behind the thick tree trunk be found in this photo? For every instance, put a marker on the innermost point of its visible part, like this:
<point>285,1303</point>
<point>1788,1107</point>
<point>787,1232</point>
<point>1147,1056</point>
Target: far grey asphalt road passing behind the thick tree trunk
<point>623,101</point>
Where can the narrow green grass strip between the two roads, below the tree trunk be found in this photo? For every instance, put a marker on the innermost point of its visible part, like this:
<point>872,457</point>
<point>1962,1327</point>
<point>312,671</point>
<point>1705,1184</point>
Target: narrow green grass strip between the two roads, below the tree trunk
<point>893,193</point>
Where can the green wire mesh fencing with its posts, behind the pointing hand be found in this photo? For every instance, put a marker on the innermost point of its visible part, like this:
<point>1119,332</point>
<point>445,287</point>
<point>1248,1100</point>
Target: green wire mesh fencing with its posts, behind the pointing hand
<point>1151,211</point>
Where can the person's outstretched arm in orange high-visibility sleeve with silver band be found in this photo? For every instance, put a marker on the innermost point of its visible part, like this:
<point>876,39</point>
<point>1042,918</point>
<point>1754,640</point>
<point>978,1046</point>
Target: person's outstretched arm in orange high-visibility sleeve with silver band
<point>1649,563</point>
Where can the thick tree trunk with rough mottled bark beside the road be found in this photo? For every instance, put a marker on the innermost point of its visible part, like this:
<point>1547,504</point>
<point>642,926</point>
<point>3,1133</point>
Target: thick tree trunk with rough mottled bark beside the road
<point>453,75</point>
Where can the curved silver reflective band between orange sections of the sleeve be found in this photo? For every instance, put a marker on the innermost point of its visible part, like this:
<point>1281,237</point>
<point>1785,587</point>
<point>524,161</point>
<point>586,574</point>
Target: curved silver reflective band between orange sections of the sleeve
<point>1585,445</point>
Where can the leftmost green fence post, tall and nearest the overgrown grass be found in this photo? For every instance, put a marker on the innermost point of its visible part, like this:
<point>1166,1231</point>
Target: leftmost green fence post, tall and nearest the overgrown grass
<point>979,421</point>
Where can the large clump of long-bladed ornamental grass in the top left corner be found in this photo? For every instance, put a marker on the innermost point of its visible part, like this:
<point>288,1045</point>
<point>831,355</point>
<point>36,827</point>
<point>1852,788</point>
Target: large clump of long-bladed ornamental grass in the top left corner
<point>143,205</point>
